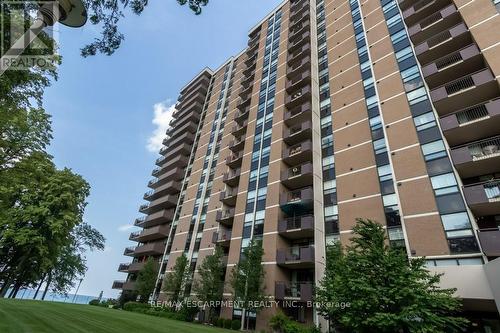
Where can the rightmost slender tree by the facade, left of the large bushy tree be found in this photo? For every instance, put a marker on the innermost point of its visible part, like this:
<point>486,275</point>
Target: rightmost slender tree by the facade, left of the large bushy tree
<point>247,279</point>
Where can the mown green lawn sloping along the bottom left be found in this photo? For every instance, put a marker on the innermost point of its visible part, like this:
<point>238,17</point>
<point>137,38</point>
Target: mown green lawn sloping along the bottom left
<point>23,316</point>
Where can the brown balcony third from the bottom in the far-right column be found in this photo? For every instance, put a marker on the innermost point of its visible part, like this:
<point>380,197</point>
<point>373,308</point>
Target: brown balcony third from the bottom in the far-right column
<point>477,158</point>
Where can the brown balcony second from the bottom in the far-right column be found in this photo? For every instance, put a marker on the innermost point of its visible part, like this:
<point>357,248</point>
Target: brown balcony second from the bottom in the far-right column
<point>484,198</point>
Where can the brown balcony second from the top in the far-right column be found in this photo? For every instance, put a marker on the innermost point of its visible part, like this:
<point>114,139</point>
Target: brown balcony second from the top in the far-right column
<point>434,23</point>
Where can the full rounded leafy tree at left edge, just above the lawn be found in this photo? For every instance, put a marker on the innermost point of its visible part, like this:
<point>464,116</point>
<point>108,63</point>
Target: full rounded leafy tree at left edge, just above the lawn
<point>40,207</point>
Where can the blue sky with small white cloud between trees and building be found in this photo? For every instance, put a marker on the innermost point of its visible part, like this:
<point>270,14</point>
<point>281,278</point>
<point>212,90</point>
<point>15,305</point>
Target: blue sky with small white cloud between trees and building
<point>110,113</point>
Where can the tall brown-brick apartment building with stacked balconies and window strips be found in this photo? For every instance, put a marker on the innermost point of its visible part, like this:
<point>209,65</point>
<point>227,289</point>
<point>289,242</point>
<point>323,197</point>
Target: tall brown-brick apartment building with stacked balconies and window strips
<point>339,109</point>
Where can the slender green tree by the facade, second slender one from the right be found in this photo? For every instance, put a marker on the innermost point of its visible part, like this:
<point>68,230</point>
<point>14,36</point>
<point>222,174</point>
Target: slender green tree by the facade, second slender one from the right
<point>209,284</point>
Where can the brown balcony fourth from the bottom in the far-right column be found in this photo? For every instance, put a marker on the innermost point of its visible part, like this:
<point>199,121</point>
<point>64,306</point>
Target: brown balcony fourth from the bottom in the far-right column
<point>469,124</point>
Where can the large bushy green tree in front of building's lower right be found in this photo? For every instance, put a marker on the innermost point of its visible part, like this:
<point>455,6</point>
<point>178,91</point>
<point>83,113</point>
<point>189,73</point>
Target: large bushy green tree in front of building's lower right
<point>384,290</point>
